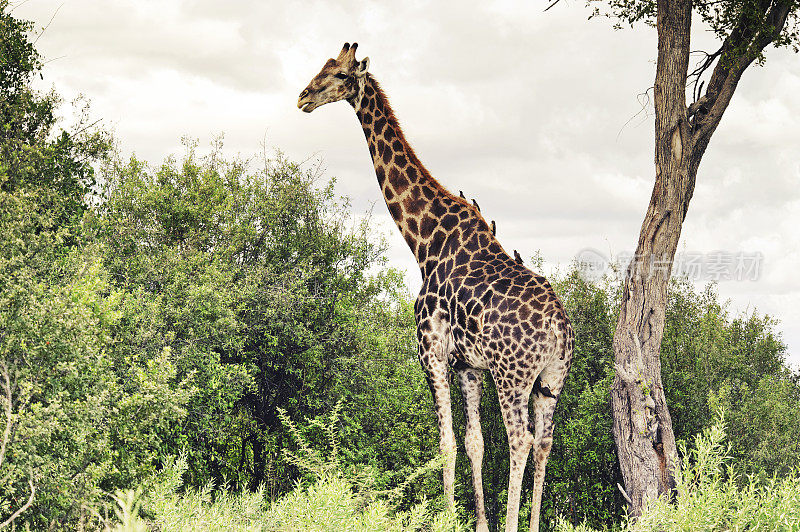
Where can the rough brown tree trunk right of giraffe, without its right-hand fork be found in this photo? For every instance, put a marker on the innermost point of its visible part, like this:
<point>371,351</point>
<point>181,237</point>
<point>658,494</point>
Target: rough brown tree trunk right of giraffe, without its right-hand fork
<point>642,424</point>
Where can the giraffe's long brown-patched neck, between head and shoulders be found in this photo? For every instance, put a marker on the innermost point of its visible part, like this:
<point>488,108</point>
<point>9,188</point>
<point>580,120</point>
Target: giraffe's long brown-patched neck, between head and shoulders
<point>434,222</point>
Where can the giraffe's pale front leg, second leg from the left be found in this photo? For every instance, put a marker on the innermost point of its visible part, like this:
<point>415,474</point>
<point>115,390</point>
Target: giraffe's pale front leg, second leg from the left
<point>471,381</point>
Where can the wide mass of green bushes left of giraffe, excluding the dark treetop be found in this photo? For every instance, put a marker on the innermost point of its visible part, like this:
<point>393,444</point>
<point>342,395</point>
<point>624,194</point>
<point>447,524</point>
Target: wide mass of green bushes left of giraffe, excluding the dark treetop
<point>189,305</point>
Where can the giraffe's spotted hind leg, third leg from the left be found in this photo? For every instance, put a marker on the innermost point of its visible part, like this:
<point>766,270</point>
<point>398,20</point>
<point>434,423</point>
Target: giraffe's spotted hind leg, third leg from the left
<point>514,406</point>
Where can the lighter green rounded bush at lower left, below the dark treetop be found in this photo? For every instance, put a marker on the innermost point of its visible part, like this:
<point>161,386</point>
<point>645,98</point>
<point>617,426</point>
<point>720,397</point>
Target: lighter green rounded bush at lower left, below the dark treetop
<point>76,425</point>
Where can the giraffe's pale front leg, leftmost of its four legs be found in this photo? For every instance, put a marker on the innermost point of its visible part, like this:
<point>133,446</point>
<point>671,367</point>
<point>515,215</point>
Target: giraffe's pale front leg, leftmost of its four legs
<point>436,373</point>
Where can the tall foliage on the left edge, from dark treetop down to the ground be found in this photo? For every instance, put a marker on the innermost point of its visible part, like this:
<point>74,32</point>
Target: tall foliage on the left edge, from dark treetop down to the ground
<point>56,306</point>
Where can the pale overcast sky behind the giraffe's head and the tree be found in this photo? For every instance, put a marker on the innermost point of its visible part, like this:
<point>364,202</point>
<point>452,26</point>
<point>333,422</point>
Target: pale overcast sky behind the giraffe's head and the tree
<point>537,115</point>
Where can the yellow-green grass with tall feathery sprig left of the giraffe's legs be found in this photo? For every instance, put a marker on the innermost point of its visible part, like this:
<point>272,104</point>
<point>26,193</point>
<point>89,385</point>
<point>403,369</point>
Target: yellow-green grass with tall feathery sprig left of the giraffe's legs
<point>329,500</point>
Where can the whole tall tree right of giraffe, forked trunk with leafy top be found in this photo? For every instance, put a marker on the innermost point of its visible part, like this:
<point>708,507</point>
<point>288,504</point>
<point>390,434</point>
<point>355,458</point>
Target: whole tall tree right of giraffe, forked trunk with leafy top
<point>643,429</point>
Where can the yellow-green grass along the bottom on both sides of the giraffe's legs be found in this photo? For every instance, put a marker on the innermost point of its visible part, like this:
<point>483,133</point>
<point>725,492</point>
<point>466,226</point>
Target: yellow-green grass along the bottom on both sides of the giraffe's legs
<point>711,497</point>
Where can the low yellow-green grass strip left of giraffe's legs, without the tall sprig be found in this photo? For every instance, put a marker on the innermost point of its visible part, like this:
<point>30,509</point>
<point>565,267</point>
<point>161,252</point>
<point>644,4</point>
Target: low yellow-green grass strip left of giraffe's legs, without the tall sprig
<point>330,503</point>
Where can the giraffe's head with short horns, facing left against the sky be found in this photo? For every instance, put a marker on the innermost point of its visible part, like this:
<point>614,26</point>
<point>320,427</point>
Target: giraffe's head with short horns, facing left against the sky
<point>340,79</point>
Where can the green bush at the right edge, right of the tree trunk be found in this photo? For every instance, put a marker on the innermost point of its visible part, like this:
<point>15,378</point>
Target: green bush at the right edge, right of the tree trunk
<point>710,358</point>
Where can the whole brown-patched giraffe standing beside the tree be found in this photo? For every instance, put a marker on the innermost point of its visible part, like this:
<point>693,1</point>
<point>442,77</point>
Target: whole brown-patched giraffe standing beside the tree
<point>478,310</point>
